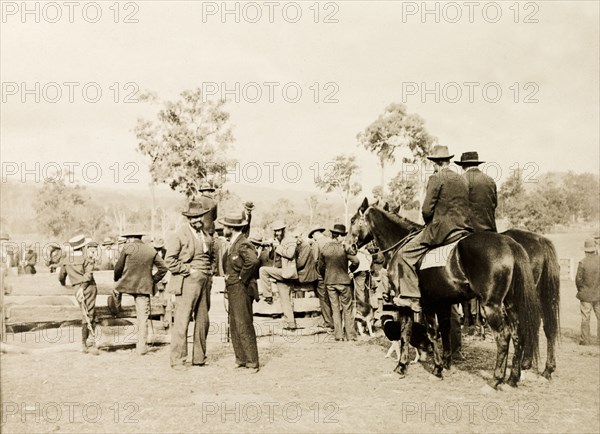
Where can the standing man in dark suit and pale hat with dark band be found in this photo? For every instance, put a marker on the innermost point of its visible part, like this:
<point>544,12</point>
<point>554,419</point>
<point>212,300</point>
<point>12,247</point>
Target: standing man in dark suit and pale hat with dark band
<point>240,266</point>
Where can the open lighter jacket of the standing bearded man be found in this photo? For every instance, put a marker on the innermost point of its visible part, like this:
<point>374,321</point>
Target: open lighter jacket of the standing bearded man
<point>180,252</point>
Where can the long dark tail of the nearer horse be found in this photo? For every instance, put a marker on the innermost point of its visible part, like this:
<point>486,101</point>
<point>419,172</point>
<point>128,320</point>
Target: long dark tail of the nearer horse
<point>526,301</point>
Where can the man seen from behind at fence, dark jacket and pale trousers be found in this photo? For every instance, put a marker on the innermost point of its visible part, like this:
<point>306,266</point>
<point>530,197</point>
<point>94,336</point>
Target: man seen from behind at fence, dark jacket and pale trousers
<point>133,274</point>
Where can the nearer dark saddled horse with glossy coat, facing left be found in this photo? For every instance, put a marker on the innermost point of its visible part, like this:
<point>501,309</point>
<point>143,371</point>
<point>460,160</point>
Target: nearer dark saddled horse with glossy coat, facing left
<point>492,267</point>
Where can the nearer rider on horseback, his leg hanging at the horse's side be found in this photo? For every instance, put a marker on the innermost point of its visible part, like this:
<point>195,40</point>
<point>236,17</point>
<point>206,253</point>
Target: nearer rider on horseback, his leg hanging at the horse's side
<point>445,212</point>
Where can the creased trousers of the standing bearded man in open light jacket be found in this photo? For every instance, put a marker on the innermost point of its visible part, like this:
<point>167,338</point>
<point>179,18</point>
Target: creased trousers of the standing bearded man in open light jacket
<point>194,298</point>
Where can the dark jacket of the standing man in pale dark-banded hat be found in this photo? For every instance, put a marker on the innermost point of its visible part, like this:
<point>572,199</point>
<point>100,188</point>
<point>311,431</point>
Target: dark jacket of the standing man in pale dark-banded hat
<point>241,262</point>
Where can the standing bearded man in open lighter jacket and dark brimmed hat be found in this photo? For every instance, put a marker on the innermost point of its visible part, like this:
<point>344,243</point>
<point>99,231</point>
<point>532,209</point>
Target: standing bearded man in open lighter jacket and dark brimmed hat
<point>190,260</point>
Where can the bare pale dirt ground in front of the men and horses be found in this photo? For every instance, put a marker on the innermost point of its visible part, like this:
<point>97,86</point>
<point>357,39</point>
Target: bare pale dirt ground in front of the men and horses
<point>306,384</point>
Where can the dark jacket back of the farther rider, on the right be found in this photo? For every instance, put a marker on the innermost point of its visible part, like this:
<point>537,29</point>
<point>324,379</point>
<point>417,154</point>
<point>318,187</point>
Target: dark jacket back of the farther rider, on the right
<point>483,200</point>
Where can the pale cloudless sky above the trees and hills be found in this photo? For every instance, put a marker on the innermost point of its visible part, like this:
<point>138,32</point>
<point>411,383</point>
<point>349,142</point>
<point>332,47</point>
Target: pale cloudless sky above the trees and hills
<point>371,55</point>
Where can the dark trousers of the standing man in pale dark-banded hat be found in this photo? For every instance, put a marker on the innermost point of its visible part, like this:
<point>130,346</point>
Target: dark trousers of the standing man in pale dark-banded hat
<point>243,336</point>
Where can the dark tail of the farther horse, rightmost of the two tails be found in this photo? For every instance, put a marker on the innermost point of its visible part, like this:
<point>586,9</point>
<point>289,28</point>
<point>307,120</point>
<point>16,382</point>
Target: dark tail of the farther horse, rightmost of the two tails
<point>549,291</point>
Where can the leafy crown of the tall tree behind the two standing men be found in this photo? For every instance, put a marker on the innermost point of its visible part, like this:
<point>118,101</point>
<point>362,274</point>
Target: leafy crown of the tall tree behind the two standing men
<point>188,142</point>
